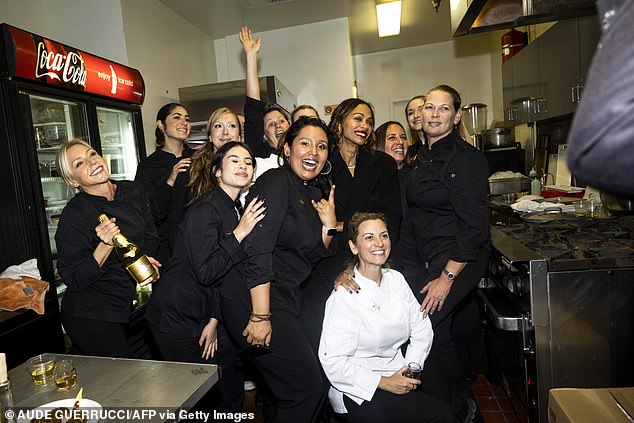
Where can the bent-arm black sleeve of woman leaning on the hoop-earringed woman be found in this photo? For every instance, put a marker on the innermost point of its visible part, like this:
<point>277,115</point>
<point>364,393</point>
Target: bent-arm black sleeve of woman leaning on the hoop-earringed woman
<point>211,252</point>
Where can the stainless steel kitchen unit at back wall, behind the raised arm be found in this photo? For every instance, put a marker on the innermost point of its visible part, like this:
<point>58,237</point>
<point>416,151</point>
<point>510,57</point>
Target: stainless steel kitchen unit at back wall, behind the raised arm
<point>201,100</point>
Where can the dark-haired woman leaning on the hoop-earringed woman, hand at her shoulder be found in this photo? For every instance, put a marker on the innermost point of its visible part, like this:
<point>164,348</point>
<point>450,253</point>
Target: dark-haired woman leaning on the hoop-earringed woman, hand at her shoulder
<point>184,311</point>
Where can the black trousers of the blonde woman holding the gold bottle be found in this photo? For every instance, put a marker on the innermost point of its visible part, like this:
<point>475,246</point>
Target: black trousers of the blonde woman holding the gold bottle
<point>96,337</point>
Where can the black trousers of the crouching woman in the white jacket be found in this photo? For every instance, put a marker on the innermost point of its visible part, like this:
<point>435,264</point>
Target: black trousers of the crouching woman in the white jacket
<point>414,407</point>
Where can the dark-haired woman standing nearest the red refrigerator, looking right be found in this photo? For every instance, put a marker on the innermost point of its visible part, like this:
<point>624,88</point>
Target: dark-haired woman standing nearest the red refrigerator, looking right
<point>164,174</point>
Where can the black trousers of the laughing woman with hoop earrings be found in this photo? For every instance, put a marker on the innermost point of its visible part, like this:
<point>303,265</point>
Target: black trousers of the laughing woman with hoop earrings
<point>292,370</point>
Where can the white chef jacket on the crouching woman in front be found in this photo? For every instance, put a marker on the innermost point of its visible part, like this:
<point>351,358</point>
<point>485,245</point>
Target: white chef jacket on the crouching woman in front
<point>362,335</point>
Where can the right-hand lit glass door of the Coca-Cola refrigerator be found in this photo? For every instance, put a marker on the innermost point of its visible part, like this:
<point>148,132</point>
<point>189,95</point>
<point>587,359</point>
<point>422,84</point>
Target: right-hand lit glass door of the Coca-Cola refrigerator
<point>117,142</point>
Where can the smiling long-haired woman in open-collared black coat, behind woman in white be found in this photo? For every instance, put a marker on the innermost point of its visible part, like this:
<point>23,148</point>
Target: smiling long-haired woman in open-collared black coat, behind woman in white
<point>366,180</point>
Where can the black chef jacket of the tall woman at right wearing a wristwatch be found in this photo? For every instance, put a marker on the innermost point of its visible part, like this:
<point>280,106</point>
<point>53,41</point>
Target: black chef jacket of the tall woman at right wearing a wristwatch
<point>447,196</point>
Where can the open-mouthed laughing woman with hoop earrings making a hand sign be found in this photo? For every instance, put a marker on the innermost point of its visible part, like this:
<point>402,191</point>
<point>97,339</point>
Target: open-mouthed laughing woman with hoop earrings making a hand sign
<point>265,309</point>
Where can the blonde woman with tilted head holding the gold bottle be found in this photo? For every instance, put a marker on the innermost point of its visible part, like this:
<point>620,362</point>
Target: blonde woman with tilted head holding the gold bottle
<point>99,293</point>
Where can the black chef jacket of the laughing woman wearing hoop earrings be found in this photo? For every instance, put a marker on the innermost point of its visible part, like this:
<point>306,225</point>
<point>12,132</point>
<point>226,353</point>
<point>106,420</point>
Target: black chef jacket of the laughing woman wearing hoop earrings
<point>285,245</point>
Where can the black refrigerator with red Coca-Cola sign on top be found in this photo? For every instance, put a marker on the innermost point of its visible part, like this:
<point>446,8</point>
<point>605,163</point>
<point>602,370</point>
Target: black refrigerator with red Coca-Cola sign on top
<point>50,93</point>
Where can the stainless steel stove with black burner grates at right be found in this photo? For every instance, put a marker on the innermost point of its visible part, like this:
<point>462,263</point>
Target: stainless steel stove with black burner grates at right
<point>558,300</point>
